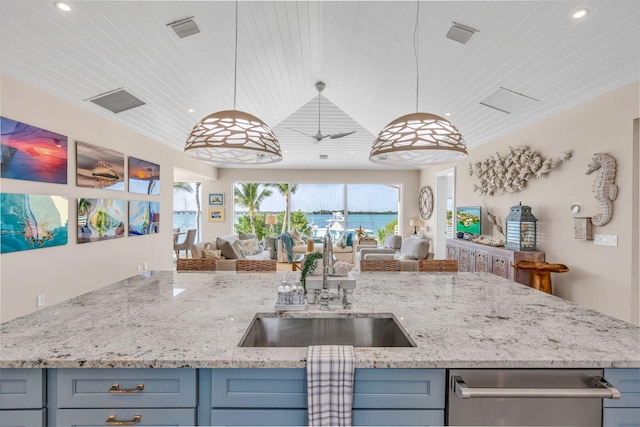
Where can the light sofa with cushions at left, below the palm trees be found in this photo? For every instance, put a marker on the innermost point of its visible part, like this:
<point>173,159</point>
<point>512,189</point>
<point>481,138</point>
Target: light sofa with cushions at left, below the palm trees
<point>227,249</point>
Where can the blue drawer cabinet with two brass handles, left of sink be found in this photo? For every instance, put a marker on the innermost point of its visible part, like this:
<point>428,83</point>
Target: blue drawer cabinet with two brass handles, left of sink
<point>88,397</point>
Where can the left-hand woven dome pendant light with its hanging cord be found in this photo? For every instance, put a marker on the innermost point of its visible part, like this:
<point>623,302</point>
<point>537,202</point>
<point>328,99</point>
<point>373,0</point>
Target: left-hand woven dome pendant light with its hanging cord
<point>232,136</point>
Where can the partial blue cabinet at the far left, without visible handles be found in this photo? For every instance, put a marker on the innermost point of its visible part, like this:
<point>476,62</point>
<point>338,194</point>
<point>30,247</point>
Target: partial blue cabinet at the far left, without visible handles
<point>22,397</point>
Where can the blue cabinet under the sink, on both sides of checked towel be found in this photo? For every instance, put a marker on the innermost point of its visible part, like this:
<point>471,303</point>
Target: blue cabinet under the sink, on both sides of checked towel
<point>279,396</point>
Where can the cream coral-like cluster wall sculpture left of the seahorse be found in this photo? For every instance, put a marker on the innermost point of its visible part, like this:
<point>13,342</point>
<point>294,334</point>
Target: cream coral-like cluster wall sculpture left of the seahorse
<point>499,175</point>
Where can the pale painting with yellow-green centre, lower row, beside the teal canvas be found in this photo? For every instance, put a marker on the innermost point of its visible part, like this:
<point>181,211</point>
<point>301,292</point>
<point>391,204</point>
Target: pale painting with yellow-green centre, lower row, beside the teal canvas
<point>101,219</point>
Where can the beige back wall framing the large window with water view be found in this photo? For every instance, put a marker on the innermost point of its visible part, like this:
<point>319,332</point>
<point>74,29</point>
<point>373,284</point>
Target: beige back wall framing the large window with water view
<point>226,177</point>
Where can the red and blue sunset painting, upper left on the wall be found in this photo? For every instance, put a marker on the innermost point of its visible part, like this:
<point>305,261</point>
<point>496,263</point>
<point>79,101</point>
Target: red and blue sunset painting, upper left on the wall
<point>31,153</point>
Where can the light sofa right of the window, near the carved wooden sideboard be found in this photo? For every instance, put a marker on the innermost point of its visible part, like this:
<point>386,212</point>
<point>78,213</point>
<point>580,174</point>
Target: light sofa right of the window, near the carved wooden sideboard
<point>408,251</point>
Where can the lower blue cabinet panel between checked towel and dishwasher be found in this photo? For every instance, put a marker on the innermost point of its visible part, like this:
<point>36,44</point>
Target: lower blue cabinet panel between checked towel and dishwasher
<point>405,417</point>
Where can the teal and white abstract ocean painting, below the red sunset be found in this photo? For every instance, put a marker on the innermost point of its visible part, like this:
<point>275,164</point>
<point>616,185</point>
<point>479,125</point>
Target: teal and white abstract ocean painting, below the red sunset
<point>32,221</point>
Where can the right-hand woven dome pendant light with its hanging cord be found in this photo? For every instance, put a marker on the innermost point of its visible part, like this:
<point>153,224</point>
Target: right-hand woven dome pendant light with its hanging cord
<point>418,139</point>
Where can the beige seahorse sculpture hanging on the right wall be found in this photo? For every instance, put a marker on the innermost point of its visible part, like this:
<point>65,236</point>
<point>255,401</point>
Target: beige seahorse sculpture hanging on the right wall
<point>603,185</point>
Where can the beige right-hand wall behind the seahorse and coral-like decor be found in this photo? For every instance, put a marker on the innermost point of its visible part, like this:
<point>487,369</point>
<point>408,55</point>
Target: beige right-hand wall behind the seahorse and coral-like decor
<point>601,277</point>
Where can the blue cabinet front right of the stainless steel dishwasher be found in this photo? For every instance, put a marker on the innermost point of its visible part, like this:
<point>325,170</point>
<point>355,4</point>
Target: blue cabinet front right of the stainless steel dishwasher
<point>626,410</point>
